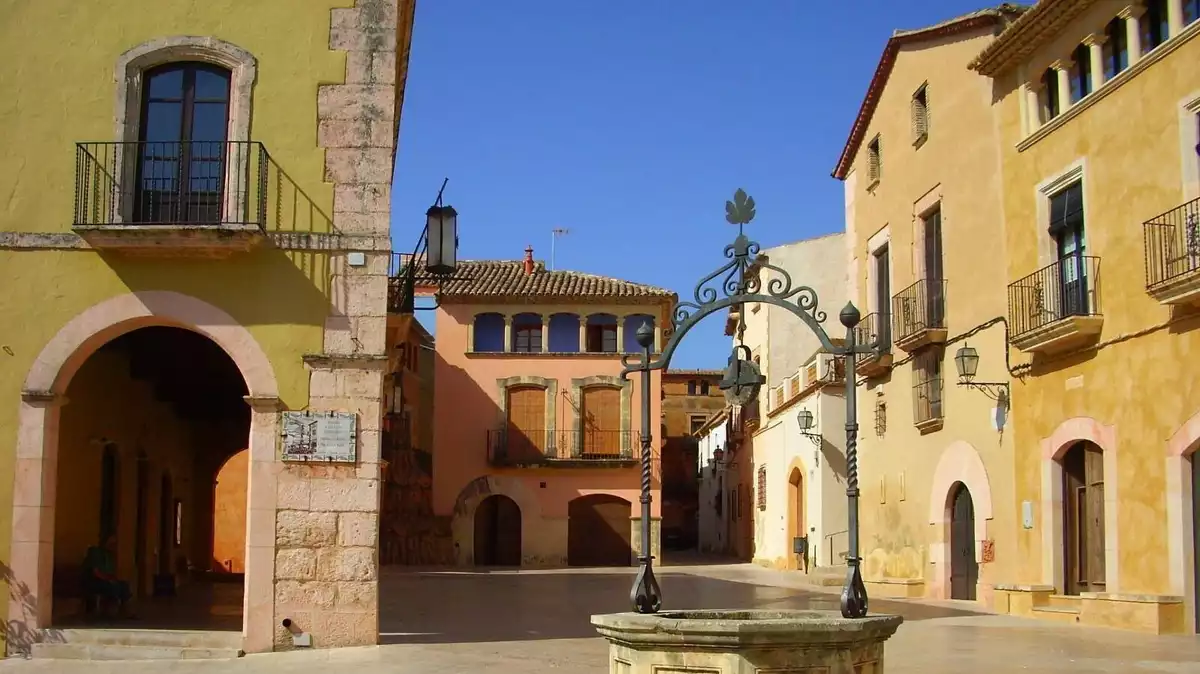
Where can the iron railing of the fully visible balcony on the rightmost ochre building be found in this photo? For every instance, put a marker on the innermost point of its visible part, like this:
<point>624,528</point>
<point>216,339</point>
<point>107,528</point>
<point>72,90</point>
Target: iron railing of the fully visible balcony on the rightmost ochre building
<point>1066,288</point>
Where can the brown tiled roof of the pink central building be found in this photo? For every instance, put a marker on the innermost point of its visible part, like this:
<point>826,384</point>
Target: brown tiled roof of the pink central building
<point>496,280</point>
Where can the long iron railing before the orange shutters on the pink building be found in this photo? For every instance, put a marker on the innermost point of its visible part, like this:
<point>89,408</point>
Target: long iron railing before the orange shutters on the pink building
<point>514,447</point>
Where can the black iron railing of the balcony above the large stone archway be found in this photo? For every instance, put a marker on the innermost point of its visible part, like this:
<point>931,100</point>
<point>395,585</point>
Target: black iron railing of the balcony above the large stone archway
<point>194,184</point>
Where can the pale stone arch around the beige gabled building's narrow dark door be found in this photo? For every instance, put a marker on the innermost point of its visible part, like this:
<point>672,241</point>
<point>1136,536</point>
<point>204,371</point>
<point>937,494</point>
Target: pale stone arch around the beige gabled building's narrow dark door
<point>959,467</point>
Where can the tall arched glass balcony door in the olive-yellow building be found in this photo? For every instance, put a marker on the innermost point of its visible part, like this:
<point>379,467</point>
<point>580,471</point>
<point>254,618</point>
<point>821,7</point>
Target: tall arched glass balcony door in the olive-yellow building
<point>183,151</point>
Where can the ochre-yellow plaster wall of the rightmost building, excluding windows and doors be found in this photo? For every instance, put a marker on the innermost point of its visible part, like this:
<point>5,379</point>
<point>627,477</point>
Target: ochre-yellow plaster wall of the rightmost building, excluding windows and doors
<point>1147,387</point>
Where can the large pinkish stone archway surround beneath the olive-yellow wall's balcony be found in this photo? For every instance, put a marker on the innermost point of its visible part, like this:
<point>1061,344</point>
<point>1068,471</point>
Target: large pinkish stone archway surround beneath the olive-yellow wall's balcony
<point>43,396</point>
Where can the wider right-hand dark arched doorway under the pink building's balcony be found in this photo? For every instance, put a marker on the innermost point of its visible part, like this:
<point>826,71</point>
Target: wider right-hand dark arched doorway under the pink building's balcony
<point>598,532</point>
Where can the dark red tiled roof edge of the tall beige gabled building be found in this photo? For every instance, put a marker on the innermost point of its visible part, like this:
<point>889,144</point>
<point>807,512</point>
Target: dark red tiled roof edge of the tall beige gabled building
<point>1001,16</point>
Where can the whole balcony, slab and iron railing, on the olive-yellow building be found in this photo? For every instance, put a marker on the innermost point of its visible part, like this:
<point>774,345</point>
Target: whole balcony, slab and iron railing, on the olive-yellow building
<point>207,197</point>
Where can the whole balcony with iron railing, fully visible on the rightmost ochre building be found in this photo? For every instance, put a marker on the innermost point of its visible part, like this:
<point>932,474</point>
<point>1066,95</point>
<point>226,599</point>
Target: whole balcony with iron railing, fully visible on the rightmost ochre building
<point>1058,308</point>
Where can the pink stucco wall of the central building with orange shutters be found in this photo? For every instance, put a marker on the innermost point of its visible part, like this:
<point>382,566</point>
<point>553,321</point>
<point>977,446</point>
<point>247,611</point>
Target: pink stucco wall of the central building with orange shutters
<point>467,402</point>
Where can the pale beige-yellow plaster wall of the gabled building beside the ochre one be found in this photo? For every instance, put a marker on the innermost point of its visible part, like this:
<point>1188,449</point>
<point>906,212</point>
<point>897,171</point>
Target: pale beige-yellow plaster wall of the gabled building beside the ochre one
<point>957,167</point>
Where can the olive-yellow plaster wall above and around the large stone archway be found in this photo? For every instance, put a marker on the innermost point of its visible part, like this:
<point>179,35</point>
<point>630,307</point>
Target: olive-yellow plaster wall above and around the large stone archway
<point>59,89</point>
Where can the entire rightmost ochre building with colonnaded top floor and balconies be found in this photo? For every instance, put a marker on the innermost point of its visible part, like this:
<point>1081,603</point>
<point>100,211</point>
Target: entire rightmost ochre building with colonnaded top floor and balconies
<point>1097,105</point>
